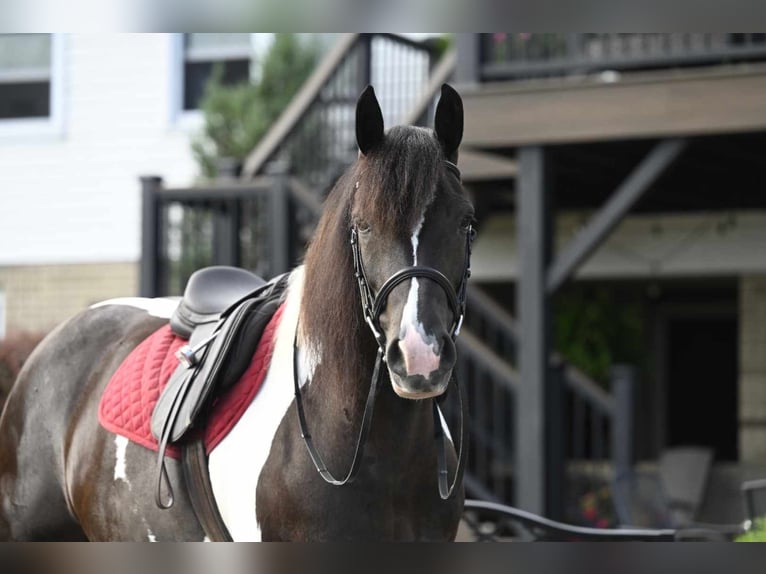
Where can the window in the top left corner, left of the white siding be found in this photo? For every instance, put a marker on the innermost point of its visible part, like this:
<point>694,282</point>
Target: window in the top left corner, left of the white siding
<point>25,76</point>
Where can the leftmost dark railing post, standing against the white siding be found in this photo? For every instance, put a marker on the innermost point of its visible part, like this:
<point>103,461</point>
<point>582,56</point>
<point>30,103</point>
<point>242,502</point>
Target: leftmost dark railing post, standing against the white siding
<point>150,237</point>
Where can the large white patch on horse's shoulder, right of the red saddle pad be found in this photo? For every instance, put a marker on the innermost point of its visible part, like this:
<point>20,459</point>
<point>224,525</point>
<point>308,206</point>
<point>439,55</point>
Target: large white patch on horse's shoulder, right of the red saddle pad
<point>236,463</point>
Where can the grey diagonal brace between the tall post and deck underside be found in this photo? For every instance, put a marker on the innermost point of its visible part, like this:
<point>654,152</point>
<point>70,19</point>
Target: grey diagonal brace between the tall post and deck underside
<point>605,220</point>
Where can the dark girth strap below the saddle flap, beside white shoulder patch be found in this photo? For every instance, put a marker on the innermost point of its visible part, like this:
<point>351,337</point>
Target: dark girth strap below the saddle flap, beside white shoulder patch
<point>197,477</point>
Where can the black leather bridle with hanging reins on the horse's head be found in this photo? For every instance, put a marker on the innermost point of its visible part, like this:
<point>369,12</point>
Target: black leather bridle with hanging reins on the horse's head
<point>373,305</point>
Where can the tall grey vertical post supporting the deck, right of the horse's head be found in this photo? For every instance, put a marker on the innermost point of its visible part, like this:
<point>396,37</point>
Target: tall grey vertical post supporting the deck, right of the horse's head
<point>532,307</point>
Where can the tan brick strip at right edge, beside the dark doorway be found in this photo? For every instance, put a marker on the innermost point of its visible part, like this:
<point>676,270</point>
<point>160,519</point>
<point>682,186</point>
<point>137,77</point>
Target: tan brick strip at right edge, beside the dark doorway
<point>752,369</point>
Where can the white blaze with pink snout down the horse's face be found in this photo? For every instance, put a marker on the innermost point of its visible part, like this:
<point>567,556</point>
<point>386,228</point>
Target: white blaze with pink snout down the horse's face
<point>418,348</point>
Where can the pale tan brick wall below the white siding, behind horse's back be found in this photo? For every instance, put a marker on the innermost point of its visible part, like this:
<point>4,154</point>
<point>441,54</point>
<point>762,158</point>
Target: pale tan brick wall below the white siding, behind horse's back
<point>38,297</point>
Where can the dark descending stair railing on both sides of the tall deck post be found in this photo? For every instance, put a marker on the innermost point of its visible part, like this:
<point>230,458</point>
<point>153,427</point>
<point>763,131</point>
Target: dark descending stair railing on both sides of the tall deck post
<point>589,426</point>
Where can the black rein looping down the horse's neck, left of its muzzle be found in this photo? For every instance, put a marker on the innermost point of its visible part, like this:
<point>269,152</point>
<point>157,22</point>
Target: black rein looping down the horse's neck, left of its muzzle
<point>364,430</point>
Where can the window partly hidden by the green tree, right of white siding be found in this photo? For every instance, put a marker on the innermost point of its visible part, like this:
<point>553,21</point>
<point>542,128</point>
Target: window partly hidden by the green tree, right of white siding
<point>201,52</point>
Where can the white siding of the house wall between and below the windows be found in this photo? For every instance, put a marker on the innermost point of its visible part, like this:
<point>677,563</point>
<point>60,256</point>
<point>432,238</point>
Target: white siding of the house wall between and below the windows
<point>73,195</point>
